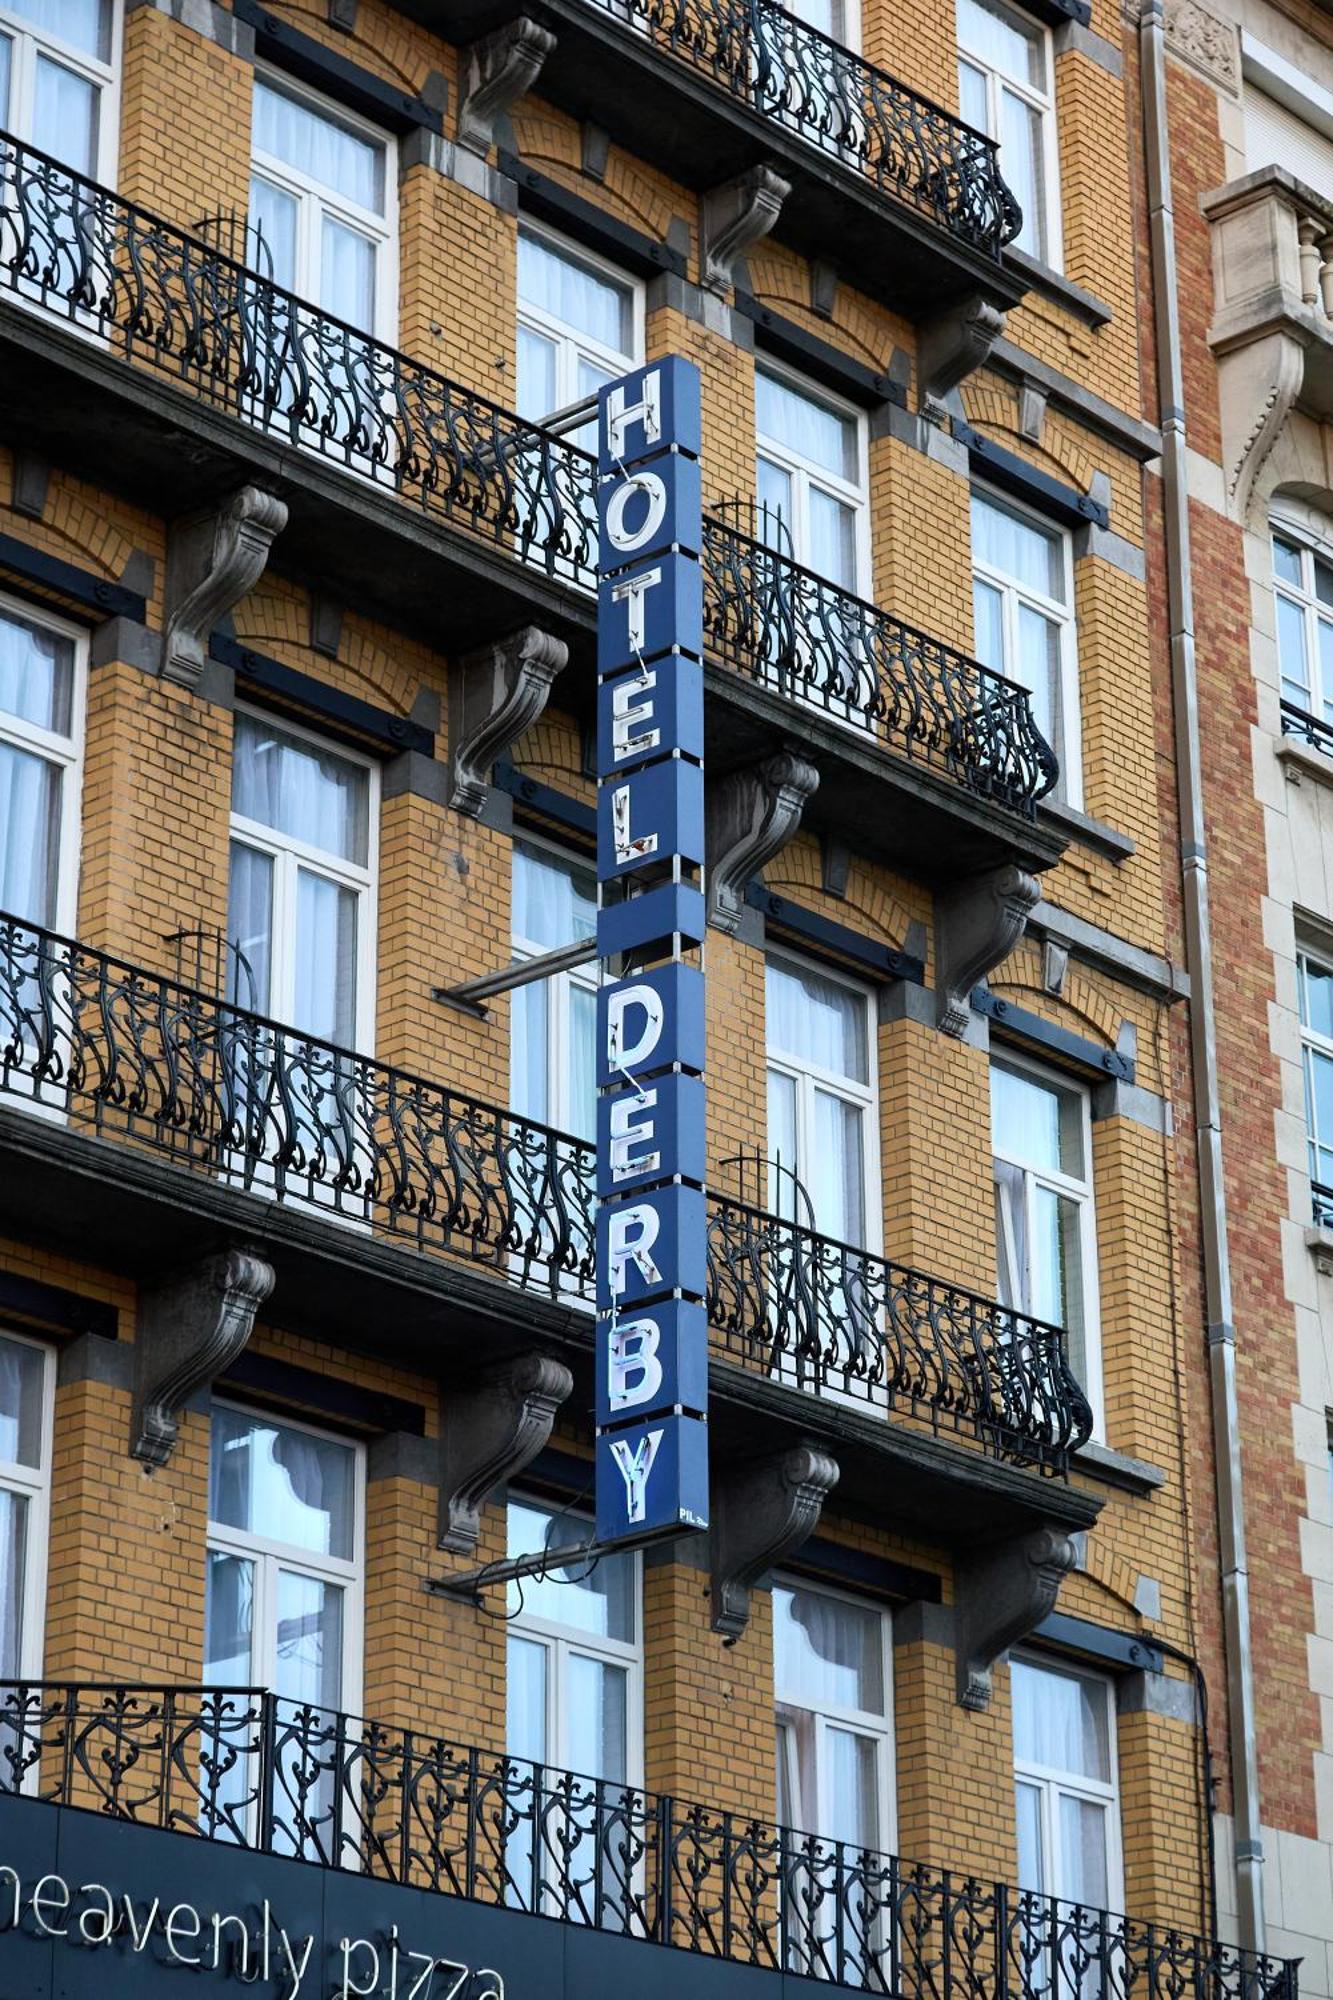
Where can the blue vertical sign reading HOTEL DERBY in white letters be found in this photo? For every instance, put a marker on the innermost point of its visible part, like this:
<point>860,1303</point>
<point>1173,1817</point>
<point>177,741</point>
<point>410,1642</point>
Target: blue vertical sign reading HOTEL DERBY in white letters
<point>651,1263</point>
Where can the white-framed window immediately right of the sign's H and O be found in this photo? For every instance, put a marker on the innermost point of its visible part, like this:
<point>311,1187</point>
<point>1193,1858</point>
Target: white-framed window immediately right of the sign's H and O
<point>812,479</point>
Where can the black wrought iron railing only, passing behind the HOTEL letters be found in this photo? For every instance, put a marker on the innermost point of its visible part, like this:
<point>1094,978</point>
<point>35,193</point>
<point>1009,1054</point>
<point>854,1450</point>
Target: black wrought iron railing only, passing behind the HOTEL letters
<point>179,307</point>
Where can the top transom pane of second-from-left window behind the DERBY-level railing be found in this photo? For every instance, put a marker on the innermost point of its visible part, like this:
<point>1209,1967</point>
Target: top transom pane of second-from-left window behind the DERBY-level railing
<point>301,789</point>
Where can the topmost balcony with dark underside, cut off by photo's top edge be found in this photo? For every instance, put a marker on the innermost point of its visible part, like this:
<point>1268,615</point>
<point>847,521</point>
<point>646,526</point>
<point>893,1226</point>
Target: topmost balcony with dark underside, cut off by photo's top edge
<point>906,197</point>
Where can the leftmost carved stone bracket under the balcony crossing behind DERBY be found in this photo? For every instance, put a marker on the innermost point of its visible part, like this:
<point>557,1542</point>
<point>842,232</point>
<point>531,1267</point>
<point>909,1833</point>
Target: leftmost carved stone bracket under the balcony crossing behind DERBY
<point>191,1327</point>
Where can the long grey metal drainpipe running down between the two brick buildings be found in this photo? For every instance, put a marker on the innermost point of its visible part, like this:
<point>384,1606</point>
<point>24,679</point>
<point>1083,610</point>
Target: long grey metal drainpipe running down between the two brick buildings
<point>1200,965</point>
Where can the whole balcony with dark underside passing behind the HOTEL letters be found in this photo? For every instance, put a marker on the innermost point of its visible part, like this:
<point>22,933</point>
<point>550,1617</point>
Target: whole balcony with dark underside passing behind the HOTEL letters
<point>183,373</point>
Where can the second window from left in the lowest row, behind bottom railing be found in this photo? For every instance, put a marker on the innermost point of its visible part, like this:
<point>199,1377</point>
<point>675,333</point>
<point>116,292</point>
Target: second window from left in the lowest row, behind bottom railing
<point>283,1603</point>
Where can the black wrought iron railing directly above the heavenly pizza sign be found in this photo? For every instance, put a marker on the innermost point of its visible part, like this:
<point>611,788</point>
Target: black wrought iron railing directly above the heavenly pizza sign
<point>241,1767</point>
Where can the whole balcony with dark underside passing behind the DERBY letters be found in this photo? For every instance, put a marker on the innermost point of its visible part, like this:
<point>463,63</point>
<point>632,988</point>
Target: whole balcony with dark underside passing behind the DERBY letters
<point>169,1115</point>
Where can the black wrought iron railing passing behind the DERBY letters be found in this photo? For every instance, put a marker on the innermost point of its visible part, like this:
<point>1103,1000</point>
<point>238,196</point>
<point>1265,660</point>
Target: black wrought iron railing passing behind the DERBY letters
<point>225,1093</point>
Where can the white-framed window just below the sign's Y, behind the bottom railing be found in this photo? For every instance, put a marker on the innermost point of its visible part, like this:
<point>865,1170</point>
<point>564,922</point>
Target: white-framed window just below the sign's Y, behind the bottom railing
<point>575,1705</point>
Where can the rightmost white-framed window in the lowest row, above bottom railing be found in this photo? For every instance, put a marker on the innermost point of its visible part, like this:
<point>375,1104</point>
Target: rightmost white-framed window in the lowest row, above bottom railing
<point>1066,1785</point>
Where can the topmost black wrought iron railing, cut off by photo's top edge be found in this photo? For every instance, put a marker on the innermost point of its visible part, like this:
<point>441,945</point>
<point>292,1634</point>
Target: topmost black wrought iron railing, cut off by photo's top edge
<point>834,99</point>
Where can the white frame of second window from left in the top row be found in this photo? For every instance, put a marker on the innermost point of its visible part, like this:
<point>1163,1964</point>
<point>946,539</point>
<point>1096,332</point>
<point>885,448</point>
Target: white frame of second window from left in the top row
<point>313,199</point>
